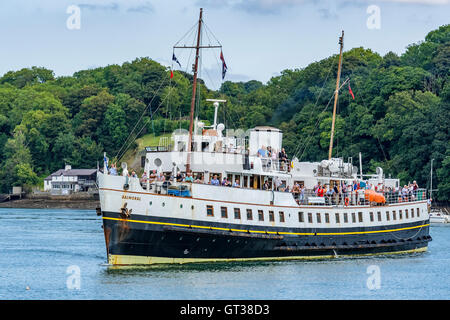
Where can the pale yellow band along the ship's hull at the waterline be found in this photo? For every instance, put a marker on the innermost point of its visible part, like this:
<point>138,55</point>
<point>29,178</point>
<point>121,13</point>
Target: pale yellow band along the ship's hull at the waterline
<point>125,260</point>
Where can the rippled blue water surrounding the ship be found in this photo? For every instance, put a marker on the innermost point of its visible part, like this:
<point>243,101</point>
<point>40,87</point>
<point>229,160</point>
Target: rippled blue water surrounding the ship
<point>38,248</point>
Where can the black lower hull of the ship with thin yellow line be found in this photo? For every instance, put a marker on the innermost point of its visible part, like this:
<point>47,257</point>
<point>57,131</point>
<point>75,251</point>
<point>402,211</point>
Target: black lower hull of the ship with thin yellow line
<point>189,241</point>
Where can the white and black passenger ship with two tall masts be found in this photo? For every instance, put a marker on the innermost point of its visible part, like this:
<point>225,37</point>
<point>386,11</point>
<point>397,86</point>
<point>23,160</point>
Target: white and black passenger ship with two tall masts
<point>147,222</point>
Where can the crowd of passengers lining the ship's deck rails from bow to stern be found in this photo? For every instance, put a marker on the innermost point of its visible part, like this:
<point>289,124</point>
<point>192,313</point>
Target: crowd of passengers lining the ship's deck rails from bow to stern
<point>338,194</point>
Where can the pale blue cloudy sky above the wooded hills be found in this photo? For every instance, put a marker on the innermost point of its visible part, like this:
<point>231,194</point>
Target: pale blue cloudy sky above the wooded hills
<point>259,38</point>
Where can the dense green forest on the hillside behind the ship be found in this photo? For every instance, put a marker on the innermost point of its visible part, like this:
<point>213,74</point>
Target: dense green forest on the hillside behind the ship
<point>399,118</point>
